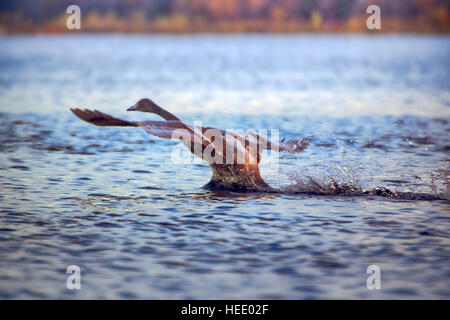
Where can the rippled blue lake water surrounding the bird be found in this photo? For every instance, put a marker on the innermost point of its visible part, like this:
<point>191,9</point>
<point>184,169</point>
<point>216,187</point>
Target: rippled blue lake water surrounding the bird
<point>376,110</point>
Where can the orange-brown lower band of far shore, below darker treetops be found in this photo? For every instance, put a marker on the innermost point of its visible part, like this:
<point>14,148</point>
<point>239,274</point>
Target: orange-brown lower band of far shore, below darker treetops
<point>355,25</point>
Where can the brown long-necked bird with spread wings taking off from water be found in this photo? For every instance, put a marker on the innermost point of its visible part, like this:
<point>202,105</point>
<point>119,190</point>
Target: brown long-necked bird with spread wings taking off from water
<point>233,157</point>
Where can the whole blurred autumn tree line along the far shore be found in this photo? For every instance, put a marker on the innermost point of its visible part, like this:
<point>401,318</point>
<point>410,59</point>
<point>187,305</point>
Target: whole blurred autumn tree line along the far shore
<point>183,16</point>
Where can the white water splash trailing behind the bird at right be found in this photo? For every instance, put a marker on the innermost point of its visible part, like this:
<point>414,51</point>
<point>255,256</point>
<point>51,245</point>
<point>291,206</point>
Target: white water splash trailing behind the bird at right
<point>343,175</point>
